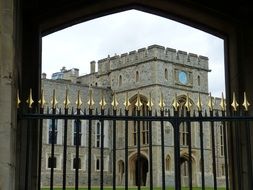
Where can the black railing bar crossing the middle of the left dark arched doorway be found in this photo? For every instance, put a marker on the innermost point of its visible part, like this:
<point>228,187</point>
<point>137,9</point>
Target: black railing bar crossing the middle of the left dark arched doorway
<point>138,153</point>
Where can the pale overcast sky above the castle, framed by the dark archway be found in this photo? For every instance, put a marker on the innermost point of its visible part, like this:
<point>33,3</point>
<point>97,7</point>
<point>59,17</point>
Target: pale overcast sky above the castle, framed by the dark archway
<point>76,46</point>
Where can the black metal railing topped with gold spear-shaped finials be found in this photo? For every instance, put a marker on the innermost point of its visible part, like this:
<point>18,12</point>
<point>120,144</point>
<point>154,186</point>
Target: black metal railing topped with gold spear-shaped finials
<point>211,120</point>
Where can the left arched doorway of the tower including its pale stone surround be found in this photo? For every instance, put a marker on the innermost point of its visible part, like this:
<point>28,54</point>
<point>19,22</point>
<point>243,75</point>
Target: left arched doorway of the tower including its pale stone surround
<point>138,177</point>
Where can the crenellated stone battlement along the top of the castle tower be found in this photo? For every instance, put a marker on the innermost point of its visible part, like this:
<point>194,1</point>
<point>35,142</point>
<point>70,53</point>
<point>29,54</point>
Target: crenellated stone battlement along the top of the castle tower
<point>153,52</point>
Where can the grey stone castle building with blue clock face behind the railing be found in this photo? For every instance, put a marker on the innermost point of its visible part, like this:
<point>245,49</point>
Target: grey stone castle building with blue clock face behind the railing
<point>148,71</point>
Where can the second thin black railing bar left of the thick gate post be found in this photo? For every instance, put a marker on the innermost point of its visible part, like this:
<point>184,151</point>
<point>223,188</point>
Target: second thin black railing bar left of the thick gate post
<point>150,154</point>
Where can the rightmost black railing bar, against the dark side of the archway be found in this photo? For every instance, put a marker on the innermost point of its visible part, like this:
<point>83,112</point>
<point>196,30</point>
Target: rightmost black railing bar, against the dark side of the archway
<point>249,152</point>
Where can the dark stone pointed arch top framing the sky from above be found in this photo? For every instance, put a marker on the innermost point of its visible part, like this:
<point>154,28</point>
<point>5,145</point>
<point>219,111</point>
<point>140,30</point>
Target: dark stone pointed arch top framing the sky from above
<point>68,14</point>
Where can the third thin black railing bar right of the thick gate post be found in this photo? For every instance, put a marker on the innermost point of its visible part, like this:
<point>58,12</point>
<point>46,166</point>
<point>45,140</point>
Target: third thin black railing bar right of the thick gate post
<point>213,153</point>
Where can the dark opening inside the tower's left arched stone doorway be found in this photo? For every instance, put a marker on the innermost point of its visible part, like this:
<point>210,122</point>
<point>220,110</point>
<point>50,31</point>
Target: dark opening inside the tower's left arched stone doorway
<point>141,178</point>
